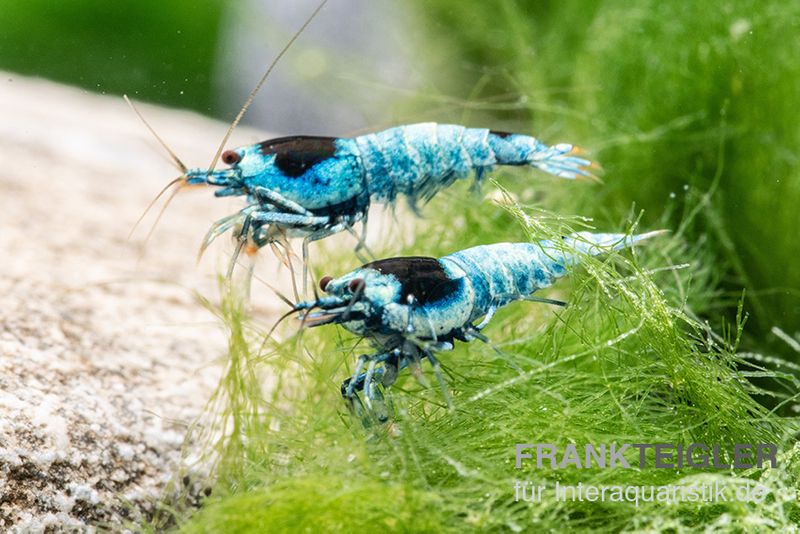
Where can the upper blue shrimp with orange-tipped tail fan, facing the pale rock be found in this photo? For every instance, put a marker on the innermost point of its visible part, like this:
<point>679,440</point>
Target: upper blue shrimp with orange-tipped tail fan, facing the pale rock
<point>313,187</point>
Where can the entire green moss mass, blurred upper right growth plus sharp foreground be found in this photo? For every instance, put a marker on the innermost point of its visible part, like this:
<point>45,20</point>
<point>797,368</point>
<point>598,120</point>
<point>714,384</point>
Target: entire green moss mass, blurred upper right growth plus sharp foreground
<point>668,95</point>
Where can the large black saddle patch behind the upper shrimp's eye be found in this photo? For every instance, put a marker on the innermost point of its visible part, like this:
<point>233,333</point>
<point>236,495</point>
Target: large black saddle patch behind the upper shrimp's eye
<point>295,155</point>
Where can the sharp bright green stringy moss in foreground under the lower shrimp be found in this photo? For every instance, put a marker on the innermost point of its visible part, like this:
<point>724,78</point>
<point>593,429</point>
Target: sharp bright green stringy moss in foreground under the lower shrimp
<point>622,364</point>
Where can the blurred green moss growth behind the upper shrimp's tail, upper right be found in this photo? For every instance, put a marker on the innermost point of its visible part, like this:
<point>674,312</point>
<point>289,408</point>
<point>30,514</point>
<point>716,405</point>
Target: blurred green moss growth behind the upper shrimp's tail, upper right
<point>651,88</point>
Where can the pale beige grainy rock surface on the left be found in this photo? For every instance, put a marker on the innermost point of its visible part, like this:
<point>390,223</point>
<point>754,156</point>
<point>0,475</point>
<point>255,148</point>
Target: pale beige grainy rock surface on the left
<point>105,353</point>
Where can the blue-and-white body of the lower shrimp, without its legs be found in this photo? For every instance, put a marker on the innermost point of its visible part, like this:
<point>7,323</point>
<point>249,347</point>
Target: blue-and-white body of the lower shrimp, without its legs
<point>450,294</point>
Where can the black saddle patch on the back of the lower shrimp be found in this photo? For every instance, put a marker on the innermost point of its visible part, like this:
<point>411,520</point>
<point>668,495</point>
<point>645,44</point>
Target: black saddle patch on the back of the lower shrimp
<point>422,277</point>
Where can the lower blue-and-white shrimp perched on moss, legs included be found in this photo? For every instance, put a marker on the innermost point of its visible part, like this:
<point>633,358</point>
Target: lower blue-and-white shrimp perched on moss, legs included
<point>411,307</point>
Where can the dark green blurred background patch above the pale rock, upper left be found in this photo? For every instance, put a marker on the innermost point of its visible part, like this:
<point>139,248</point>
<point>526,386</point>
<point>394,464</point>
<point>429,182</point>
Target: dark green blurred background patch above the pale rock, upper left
<point>158,51</point>
